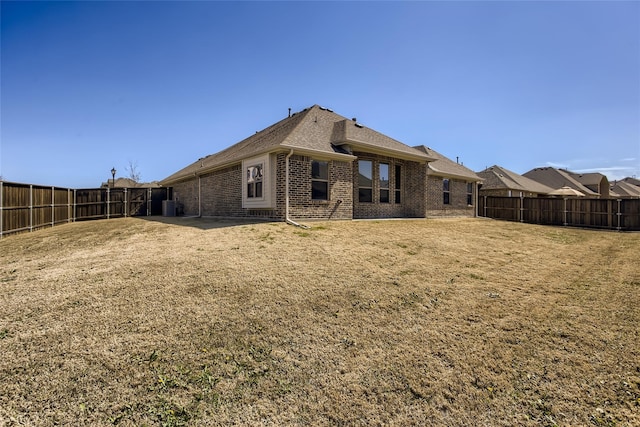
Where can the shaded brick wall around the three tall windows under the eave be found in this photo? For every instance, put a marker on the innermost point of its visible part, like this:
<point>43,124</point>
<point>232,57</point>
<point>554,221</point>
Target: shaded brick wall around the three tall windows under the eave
<point>412,189</point>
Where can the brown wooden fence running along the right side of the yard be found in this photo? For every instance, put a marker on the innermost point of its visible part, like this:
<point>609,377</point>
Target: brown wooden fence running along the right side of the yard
<point>613,214</point>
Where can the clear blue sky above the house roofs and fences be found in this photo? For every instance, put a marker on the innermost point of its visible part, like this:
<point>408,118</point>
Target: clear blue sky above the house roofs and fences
<point>87,86</point>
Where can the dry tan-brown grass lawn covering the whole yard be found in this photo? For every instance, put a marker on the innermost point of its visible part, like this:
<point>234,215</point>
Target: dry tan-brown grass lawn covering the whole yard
<point>427,322</point>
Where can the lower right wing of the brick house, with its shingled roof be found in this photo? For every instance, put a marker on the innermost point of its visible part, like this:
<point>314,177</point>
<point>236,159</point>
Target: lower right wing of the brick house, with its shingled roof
<point>452,189</point>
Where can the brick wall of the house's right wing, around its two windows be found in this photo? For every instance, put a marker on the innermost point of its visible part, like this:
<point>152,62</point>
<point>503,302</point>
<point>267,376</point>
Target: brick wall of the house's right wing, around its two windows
<point>457,198</point>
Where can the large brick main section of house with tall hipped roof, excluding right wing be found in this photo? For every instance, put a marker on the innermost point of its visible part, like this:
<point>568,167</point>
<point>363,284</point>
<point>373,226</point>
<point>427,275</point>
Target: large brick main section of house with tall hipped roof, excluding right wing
<point>314,164</point>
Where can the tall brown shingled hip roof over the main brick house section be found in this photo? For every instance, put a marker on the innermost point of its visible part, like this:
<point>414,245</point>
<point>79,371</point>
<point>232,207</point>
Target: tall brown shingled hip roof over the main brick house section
<point>314,131</point>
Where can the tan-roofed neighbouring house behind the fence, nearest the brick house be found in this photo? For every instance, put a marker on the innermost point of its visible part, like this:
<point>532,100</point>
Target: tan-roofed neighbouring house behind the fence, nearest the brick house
<point>498,181</point>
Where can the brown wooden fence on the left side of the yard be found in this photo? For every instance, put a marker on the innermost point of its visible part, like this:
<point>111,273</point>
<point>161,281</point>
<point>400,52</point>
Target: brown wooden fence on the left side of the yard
<point>26,207</point>
